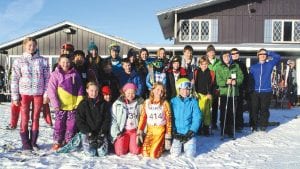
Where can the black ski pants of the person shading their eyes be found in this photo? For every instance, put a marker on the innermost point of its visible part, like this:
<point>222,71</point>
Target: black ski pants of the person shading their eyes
<point>260,109</point>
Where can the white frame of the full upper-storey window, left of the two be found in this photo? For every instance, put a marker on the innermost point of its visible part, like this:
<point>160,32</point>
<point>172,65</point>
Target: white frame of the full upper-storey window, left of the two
<point>190,29</point>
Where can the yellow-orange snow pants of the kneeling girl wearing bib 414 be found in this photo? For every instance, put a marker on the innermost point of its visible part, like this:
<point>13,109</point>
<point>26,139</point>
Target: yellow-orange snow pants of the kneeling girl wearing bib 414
<point>153,145</point>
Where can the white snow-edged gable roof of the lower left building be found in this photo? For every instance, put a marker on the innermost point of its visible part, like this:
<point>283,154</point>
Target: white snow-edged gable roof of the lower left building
<point>62,25</point>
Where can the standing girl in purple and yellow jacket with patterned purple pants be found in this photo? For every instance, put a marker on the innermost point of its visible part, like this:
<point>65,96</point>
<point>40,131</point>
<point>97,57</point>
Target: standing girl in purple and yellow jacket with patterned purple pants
<point>65,92</point>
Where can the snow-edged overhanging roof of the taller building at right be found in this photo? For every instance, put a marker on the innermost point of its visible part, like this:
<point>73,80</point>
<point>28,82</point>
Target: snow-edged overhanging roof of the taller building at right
<point>166,17</point>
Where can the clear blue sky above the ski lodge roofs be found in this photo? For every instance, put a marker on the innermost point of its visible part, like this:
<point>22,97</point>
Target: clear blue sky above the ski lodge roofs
<point>133,20</point>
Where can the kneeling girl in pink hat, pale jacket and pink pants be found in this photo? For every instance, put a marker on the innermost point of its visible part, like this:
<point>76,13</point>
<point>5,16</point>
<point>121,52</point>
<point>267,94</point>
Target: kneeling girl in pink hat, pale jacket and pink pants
<point>125,117</point>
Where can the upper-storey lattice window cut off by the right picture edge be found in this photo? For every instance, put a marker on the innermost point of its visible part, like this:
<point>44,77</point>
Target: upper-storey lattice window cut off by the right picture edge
<point>286,31</point>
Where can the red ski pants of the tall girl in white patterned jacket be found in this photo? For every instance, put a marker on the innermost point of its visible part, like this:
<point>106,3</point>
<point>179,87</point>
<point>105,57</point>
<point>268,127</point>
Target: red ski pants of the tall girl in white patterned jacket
<point>26,101</point>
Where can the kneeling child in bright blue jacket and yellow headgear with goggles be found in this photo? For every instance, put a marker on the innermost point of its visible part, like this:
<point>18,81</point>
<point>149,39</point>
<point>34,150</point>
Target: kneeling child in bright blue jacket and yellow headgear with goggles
<point>186,115</point>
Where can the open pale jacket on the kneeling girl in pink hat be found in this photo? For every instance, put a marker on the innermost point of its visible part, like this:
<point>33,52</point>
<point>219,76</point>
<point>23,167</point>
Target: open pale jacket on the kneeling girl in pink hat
<point>119,116</point>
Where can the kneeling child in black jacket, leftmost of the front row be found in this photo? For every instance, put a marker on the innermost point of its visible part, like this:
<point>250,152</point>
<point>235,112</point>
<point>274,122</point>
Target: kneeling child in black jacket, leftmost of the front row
<point>92,120</point>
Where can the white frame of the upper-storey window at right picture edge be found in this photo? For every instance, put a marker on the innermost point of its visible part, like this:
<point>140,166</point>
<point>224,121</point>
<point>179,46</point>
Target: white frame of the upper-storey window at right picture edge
<point>282,30</point>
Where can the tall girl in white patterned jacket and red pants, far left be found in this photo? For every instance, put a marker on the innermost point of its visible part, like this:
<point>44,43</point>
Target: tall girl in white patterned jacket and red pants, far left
<point>30,75</point>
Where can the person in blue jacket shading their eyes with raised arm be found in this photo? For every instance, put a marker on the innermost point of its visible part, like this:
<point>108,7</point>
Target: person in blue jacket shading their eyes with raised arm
<point>260,76</point>
